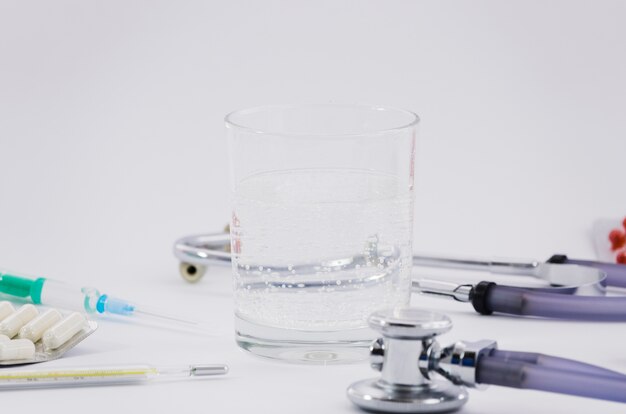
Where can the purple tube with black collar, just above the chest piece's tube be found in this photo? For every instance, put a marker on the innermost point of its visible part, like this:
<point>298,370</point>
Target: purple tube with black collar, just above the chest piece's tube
<point>488,297</point>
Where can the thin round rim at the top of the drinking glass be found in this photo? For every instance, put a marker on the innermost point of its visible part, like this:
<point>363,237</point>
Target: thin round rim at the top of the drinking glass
<point>228,119</point>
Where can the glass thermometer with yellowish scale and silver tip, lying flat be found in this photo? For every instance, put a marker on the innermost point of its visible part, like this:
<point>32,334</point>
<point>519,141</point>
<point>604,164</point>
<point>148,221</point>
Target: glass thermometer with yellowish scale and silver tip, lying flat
<point>105,375</point>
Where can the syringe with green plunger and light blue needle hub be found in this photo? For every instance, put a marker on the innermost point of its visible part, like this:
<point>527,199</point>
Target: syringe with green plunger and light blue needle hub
<point>50,292</point>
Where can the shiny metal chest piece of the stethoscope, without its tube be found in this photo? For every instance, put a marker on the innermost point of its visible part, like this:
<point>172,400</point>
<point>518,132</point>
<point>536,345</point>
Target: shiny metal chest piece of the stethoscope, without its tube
<point>404,386</point>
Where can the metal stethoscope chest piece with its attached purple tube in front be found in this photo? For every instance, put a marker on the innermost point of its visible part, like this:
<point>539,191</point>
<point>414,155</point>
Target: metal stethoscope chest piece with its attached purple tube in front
<point>437,377</point>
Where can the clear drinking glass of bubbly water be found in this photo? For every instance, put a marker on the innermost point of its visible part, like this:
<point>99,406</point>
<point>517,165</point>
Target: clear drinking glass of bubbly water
<point>321,228</point>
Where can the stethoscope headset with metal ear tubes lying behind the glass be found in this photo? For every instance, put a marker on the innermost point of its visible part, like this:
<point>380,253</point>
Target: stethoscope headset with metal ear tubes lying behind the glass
<point>577,287</point>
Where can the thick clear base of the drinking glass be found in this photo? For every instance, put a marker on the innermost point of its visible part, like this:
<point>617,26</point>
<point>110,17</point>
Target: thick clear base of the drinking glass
<point>304,347</point>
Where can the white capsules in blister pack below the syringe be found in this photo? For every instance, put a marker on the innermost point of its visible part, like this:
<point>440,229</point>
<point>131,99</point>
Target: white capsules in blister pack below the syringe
<point>22,329</point>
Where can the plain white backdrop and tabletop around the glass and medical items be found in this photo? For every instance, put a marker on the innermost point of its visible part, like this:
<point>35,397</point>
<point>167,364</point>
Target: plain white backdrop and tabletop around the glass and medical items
<point>112,146</point>
